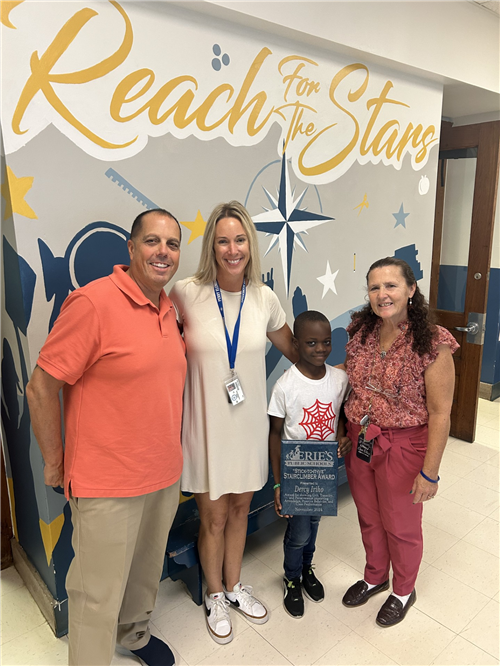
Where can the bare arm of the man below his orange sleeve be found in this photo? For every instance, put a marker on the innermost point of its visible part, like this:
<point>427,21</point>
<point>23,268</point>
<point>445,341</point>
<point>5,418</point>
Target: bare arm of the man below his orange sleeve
<point>42,392</point>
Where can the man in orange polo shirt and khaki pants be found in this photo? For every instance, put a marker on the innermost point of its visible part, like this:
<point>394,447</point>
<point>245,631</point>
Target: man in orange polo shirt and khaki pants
<point>116,352</point>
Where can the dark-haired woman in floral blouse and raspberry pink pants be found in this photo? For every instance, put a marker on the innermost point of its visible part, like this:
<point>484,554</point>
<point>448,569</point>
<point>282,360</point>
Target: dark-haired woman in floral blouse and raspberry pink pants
<point>402,375</point>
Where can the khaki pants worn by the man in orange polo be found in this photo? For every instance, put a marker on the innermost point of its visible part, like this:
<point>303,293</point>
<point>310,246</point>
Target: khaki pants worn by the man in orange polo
<point>112,583</point>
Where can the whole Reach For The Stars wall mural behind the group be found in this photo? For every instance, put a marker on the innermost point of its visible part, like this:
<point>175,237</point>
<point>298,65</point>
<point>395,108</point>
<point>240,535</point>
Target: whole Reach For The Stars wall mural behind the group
<point>100,122</point>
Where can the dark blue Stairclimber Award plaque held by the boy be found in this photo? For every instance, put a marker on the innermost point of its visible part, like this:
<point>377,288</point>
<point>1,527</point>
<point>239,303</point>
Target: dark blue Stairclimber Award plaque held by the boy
<point>309,478</point>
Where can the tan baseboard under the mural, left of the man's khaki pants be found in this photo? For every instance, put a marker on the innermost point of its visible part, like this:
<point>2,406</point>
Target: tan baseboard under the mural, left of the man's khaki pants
<point>55,613</point>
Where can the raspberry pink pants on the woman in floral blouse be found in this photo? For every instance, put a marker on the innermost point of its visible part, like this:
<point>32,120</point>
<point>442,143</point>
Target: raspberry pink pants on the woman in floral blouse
<point>391,525</point>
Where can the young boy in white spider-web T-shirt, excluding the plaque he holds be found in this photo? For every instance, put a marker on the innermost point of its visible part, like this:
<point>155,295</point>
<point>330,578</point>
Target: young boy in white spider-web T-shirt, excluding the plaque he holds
<point>299,389</point>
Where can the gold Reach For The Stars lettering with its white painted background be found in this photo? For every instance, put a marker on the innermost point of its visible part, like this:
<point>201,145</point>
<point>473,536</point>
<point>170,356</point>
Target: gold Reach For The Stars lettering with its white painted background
<point>329,118</point>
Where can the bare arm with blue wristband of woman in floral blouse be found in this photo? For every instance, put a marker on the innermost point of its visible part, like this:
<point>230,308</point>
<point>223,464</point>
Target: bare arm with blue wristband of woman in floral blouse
<point>439,385</point>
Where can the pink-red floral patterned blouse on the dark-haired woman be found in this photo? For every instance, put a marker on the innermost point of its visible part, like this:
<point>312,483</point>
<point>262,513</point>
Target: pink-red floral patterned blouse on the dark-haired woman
<point>393,384</point>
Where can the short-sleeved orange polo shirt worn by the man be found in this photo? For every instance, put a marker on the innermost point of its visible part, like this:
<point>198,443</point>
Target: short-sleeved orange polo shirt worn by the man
<point>124,365</point>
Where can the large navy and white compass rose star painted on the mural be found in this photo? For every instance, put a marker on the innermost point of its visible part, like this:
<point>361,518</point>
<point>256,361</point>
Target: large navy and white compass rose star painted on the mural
<point>285,221</point>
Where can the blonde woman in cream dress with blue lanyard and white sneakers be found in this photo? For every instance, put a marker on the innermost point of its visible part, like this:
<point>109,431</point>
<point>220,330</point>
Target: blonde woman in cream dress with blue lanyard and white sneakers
<point>228,315</point>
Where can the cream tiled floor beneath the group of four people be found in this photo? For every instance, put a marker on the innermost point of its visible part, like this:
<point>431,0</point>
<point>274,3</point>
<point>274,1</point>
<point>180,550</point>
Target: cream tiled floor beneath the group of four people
<point>454,621</point>
